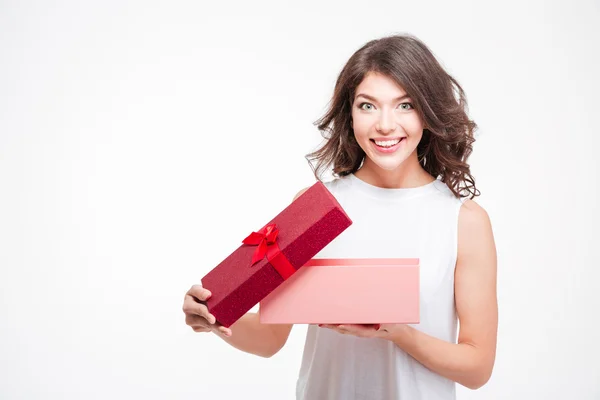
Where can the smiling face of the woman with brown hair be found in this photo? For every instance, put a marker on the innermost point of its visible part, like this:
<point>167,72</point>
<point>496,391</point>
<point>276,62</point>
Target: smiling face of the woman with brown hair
<point>386,126</point>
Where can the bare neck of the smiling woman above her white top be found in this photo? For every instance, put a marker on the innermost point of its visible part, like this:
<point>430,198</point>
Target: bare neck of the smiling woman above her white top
<point>409,174</point>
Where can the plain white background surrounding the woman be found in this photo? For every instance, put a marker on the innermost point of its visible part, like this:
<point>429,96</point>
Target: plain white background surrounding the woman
<point>141,141</point>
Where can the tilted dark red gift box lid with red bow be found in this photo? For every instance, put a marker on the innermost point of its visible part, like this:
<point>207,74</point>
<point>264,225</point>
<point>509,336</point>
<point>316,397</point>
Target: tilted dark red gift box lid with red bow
<point>273,254</point>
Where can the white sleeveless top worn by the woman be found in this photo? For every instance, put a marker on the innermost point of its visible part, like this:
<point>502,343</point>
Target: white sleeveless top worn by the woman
<point>419,222</point>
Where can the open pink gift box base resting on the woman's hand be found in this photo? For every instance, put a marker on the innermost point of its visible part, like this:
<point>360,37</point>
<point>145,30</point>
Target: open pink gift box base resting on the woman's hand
<point>347,291</point>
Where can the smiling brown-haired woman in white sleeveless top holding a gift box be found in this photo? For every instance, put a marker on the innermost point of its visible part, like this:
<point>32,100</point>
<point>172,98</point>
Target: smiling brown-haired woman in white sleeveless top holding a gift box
<point>398,138</point>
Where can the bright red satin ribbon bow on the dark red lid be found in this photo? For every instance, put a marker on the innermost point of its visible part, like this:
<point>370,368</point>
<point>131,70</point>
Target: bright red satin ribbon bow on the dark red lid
<point>266,240</point>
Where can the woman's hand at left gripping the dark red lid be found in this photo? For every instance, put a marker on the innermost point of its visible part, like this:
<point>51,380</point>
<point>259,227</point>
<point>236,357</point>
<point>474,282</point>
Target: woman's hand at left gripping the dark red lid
<point>196,312</point>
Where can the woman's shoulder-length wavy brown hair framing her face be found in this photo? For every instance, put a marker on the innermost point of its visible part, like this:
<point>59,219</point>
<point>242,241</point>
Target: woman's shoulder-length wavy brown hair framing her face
<point>447,140</point>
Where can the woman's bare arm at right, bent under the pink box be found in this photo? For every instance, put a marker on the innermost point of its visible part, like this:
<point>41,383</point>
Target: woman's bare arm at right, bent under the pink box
<point>471,360</point>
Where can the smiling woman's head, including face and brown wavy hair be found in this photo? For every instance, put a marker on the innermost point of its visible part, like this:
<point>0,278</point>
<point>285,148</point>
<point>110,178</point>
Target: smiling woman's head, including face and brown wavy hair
<point>394,88</point>
